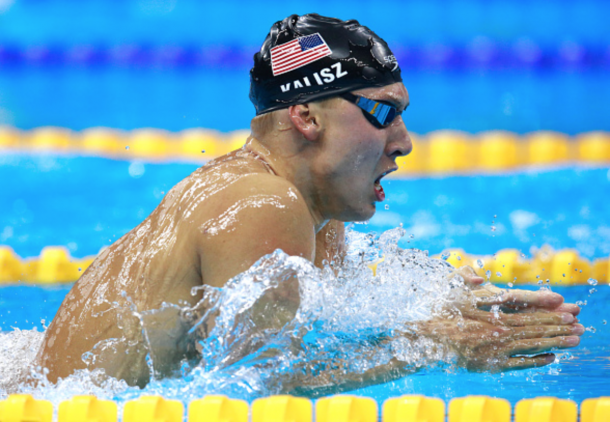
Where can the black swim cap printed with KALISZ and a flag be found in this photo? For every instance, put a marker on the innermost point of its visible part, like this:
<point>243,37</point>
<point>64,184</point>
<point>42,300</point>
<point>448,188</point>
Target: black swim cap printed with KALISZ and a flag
<point>311,57</point>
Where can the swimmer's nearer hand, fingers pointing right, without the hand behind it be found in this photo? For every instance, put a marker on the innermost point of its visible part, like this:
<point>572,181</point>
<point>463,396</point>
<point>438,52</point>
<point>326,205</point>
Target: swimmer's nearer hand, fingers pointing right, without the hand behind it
<point>483,342</point>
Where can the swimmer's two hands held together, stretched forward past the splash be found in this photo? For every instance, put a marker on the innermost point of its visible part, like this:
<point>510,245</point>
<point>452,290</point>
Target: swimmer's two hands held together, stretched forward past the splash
<point>521,323</point>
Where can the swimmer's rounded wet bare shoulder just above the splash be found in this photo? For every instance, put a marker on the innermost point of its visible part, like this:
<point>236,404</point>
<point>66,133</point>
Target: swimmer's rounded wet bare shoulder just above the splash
<point>252,217</point>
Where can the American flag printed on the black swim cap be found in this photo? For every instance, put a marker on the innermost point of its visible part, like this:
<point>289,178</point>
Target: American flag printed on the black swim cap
<point>298,53</point>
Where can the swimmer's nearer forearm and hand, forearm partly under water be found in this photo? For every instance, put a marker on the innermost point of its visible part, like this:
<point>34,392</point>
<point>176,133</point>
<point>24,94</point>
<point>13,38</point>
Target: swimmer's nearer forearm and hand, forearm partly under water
<point>478,341</point>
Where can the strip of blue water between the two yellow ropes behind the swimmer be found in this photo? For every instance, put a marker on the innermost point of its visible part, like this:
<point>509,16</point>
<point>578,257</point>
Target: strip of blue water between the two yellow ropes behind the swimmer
<point>85,203</point>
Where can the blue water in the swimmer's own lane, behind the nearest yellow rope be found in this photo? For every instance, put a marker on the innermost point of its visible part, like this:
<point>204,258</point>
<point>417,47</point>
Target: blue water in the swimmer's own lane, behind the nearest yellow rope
<point>580,373</point>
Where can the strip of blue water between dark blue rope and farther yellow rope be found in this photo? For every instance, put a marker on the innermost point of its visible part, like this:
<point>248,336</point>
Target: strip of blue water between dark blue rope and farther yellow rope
<point>472,100</point>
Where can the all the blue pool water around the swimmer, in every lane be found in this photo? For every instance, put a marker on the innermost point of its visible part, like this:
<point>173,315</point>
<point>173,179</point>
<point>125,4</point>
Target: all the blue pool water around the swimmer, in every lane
<point>469,65</point>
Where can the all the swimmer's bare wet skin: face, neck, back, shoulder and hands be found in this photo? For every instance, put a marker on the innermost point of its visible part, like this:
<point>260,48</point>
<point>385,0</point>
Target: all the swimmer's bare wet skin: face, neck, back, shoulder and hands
<point>291,189</point>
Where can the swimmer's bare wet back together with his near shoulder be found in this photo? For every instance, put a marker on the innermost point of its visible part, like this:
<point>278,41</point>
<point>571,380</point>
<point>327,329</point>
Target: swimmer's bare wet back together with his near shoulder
<point>201,233</point>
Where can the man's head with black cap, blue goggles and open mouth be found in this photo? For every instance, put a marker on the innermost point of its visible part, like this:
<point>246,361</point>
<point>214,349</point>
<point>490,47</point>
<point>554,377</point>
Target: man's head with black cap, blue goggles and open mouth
<point>336,117</point>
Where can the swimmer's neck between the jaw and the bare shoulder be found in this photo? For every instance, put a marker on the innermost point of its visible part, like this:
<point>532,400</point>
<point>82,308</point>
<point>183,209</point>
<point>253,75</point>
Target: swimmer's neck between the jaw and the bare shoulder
<point>293,167</point>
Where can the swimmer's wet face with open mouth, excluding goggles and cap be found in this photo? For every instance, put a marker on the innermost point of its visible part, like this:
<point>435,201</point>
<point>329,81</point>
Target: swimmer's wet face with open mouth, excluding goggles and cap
<point>357,155</point>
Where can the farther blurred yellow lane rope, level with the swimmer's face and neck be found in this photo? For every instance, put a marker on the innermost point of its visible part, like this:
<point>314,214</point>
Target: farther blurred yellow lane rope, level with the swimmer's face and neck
<point>438,152</point>
